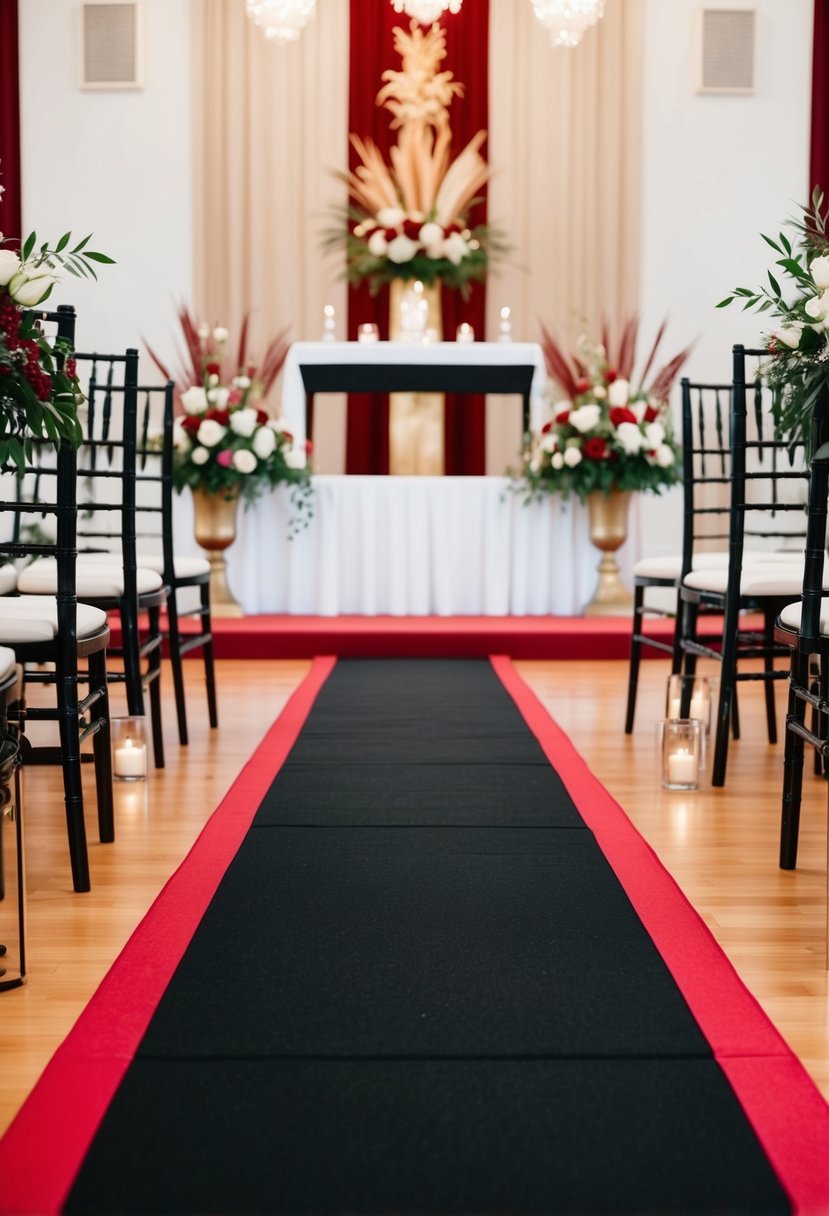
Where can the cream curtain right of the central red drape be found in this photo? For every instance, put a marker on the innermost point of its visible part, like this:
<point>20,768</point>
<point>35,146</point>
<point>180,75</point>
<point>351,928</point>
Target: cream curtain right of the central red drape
<point>566,145</point>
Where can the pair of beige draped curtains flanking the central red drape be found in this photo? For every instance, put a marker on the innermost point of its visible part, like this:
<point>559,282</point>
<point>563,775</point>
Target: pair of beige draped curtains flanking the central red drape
<point>272,126</point>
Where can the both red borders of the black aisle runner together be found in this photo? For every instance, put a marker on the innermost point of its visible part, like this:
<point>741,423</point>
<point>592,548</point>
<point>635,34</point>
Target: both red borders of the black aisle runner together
<point>787,1111</point>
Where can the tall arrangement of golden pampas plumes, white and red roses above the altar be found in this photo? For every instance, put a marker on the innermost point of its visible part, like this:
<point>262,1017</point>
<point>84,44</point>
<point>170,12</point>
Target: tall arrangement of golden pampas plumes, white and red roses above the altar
<point>409,219</point>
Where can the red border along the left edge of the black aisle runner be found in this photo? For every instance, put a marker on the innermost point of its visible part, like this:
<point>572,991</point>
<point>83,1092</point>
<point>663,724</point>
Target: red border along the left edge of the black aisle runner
<point>44,1147</point>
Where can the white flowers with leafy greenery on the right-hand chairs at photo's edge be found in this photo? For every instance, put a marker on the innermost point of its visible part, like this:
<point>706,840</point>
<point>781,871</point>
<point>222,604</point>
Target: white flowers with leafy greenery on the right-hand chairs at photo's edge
<point>798,369</point>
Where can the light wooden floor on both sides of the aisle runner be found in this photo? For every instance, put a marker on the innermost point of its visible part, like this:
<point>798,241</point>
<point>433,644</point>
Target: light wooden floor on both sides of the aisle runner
<point>721,847</point>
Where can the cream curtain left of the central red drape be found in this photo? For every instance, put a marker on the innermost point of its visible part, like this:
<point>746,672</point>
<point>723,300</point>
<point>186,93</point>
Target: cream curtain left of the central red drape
<point>270,128</point>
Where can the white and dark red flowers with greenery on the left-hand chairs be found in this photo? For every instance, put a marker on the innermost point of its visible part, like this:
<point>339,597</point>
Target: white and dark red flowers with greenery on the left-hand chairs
<point>40,391</point>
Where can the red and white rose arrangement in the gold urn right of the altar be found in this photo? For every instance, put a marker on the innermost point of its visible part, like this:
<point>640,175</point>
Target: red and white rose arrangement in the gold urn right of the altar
<point>606,432</point>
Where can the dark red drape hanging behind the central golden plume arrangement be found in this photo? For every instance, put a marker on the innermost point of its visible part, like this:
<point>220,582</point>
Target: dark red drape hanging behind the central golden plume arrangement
<point>373,52</point>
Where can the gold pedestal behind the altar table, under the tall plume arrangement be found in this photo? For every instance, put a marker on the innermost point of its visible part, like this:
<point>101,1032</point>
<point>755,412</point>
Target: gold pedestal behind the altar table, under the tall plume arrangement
<point>416,420</point>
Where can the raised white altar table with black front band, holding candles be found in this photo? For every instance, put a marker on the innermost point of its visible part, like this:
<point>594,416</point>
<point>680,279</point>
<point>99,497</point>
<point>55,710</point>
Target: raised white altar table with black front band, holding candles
<point>503,368</point>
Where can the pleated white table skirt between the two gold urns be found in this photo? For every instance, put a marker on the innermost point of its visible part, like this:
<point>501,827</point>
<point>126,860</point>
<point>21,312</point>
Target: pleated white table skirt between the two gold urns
<point>413,547</point>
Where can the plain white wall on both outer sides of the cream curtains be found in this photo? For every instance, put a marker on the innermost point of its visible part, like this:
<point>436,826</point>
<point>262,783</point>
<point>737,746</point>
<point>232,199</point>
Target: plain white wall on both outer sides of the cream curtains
<point>718,171</point>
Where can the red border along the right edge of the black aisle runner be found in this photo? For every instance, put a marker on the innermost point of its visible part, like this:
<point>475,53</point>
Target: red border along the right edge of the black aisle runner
<point>781,1101</point>
